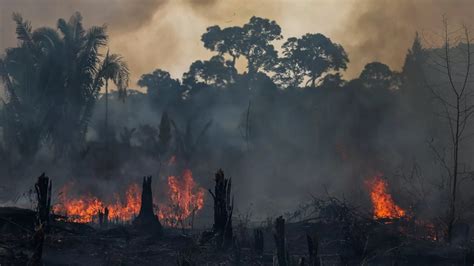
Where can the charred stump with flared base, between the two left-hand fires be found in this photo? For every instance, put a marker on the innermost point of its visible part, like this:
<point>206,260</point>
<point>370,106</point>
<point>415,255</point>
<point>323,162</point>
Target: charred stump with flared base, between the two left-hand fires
<point>146,219</point>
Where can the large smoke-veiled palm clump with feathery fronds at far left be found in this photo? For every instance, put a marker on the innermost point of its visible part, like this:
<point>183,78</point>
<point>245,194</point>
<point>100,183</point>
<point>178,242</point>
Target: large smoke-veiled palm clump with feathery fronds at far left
<point>53,79</point>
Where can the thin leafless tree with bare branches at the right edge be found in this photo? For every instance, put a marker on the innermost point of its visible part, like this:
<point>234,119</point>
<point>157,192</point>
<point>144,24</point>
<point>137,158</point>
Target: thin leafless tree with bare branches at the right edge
<point>457,110</point>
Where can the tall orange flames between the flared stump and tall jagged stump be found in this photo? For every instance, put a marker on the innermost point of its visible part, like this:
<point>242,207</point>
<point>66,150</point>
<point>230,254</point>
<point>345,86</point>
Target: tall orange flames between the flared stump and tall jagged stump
<point>185,199</point>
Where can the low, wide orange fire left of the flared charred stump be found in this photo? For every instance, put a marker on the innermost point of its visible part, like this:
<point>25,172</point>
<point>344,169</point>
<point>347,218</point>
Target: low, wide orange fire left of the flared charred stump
<point>85,208</point>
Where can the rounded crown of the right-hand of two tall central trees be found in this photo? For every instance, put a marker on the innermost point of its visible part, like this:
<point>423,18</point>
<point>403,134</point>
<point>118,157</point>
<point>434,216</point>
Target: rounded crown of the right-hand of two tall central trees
<point>311,56</point>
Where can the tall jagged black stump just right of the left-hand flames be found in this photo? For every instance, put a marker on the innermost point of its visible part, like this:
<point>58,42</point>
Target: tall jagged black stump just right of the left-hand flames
<point>223,209</point>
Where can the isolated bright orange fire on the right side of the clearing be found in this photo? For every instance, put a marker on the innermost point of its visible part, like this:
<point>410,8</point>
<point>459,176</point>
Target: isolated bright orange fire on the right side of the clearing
<point>383,204</point>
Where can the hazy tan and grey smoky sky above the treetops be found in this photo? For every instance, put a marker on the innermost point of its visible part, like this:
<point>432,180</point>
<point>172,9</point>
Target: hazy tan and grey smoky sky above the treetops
<point>166,33</point>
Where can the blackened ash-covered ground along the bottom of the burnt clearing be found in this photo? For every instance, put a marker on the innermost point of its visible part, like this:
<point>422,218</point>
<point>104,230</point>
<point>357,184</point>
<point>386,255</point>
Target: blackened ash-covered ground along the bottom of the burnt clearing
<point>79,244</point>
